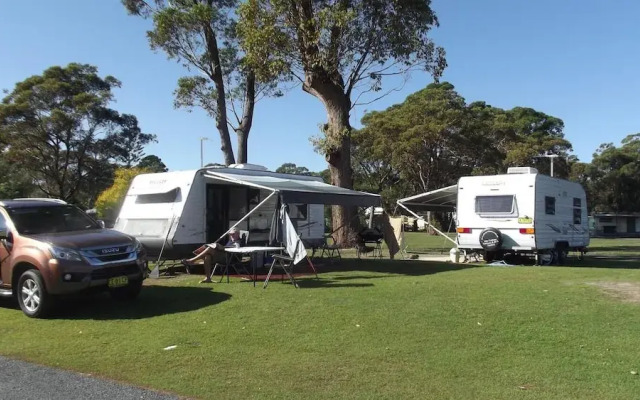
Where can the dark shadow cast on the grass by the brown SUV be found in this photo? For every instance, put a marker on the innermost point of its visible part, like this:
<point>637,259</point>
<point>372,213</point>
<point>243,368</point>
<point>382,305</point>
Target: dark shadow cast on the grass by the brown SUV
<point>152,302</point>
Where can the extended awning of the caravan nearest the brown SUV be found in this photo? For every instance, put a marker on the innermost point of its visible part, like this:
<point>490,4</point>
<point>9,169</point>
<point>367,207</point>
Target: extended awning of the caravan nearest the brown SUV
<point>299,188</point>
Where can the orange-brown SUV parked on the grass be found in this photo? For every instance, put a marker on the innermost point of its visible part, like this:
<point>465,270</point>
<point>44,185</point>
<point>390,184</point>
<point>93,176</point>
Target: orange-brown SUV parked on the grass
<point>49,248</point>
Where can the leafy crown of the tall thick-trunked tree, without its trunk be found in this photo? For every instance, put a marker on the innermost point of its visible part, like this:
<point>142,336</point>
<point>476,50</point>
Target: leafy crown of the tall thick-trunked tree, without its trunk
<point>347,42</point>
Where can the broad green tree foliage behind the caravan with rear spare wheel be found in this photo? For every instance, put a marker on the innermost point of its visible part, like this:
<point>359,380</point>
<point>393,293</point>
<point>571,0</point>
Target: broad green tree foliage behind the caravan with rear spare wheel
<point>434,137</point>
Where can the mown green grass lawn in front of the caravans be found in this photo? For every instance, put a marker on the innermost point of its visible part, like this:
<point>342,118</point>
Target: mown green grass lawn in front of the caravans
<point>365,329</point>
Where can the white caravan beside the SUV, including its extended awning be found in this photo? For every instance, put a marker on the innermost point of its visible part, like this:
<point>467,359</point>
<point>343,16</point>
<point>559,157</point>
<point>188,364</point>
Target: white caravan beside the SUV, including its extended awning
<point>172,213</point>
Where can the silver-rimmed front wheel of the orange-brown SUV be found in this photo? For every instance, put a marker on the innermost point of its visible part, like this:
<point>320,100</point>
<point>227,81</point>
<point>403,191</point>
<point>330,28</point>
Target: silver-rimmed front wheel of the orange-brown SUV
<point>32,295</point>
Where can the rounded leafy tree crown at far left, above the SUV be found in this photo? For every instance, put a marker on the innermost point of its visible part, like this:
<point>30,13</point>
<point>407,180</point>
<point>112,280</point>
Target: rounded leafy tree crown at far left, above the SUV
<point>59,127</point>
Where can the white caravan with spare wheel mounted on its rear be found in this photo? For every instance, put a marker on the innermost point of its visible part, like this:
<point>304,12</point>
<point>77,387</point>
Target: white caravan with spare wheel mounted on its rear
<point>522,212</point>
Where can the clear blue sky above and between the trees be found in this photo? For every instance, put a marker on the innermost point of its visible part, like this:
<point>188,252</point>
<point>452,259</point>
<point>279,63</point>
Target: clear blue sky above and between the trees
<point>574,59</point>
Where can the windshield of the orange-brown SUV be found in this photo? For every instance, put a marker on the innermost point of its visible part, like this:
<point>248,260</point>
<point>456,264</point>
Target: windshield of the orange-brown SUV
<point>50,219</point>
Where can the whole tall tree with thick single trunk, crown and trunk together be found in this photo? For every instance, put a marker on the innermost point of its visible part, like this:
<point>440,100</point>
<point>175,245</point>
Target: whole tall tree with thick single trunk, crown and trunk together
<point>339,51</point>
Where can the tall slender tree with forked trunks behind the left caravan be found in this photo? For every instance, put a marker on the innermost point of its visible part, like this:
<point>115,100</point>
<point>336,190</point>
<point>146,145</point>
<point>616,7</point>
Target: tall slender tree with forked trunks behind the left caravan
<point>200,34</point>
